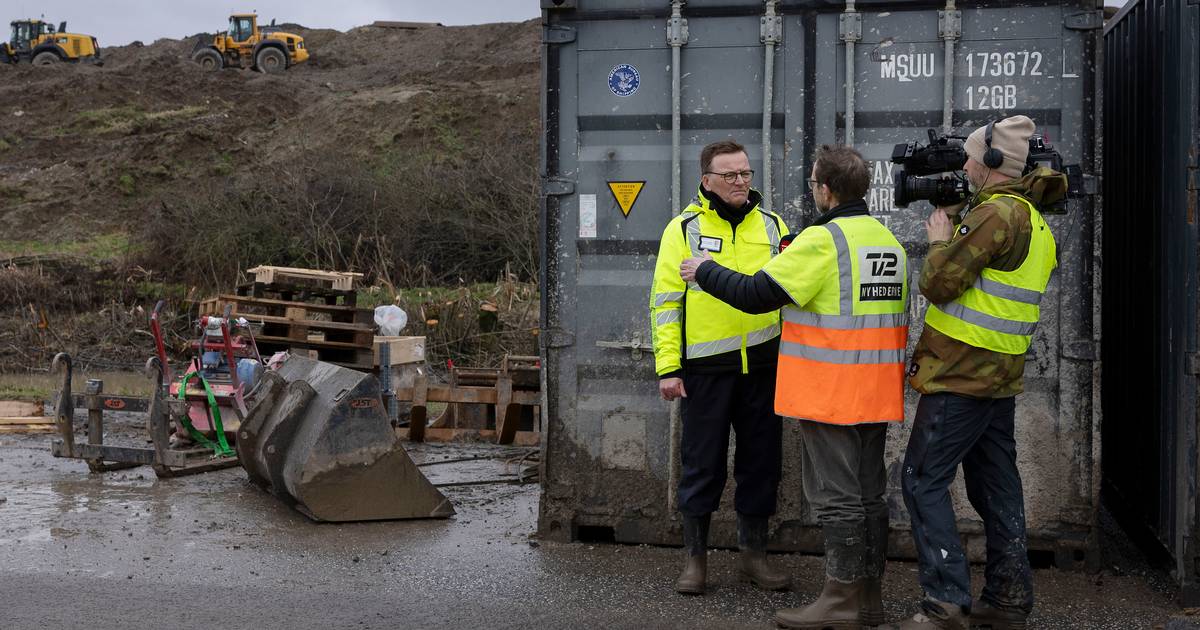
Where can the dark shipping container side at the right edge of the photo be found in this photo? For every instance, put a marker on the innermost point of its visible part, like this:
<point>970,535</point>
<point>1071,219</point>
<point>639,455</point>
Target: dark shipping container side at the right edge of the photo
<point>1150,187</point>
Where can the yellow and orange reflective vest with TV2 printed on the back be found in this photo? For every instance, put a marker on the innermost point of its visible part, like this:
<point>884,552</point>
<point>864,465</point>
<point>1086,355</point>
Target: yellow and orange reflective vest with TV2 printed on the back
<point>842,358</point>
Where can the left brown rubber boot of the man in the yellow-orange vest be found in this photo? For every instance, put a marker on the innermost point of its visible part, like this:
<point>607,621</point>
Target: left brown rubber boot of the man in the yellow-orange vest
<point>842,599</point>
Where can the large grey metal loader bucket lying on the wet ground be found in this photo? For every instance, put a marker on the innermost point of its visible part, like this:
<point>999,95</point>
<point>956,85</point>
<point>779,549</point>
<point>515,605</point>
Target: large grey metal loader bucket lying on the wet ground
<point>320,440</point>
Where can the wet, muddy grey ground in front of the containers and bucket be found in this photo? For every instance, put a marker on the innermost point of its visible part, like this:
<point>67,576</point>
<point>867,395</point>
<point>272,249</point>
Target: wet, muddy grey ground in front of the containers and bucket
<point>127,550</point>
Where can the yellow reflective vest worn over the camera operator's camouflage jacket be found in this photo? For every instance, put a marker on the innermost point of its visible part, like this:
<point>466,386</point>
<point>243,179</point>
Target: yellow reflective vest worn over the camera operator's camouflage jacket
<point>1001,310</point>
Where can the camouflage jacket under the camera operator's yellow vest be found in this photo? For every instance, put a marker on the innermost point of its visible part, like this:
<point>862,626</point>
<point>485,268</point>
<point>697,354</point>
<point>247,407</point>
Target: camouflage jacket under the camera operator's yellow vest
<point>994,235</point>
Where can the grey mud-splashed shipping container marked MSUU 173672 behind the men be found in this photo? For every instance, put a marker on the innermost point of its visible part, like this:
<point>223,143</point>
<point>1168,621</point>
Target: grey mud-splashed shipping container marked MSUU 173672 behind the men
<point>633,91</point>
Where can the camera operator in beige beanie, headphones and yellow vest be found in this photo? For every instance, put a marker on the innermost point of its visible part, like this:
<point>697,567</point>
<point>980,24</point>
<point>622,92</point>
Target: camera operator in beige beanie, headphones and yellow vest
<point>985,278</point>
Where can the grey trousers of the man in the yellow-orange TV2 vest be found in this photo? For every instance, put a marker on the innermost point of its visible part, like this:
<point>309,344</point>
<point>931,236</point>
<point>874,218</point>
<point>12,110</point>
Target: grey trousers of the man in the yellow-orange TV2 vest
<point>844,476</point>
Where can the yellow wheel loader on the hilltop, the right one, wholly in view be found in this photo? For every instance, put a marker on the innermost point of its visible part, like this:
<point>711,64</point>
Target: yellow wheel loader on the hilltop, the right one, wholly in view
<point>247,46</point>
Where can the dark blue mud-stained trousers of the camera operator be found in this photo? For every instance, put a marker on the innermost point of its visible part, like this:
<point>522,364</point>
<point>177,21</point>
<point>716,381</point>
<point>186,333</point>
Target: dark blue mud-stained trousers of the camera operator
<point>977,434</point>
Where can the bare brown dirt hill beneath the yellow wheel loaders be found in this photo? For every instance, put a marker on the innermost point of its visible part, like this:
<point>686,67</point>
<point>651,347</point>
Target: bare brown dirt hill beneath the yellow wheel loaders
<point>380,115</point>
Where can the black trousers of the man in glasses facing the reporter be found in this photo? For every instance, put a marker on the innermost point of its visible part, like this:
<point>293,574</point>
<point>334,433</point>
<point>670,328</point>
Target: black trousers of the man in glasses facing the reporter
<point>715,404</point>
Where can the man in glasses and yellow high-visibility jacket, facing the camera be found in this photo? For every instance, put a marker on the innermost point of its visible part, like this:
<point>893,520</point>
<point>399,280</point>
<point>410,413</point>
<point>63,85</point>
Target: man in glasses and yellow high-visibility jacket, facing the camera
<point>722,363</point>
